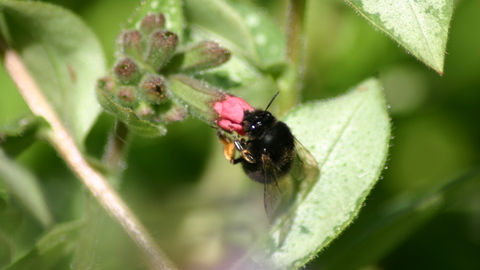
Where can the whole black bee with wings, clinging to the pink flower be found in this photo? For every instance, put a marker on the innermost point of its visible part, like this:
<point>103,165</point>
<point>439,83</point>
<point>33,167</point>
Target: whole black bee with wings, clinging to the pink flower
<point>272,156</point>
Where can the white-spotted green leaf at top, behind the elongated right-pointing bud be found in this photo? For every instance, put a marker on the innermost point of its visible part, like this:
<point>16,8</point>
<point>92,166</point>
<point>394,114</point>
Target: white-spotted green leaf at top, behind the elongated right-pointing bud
<point>240,27</point>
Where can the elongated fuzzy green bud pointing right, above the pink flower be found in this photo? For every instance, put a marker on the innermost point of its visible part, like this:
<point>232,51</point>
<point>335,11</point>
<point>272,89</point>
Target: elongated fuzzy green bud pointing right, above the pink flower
<point>204,55</point>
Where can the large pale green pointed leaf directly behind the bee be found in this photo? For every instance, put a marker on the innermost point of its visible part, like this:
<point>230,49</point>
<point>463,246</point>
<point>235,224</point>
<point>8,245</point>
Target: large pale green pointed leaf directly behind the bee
<point>348,136</point>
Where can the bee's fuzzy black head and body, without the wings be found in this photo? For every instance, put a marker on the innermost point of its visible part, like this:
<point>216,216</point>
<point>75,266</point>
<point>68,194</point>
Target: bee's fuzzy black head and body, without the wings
<point>270,144</point>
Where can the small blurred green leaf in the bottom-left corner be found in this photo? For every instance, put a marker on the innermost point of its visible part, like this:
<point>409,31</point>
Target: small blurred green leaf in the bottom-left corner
<point>51,248</point>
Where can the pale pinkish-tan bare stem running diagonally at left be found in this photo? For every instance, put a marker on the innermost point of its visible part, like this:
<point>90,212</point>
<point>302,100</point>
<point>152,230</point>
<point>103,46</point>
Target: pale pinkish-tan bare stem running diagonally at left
<point>96,183</point>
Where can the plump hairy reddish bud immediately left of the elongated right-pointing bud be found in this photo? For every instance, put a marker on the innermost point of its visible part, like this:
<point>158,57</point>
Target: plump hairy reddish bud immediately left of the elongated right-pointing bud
<point>161,46</point>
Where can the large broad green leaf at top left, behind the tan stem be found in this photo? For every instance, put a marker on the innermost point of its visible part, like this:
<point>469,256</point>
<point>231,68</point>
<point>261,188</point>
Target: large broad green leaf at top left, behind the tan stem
<point>63,56</point>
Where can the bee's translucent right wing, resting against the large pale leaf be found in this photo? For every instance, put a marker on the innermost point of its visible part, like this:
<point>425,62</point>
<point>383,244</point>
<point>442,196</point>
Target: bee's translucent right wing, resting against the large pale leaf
<point>304,169</point>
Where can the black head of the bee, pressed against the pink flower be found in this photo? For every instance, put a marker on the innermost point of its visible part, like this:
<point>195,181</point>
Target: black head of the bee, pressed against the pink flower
<point>257,122</point>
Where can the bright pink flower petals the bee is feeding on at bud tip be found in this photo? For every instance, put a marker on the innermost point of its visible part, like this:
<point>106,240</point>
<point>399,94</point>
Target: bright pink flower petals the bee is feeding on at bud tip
<point>230,112</point>
